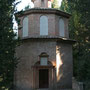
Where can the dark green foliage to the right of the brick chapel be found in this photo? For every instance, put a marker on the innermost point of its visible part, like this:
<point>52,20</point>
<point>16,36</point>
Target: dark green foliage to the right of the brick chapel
<point>79,28</point>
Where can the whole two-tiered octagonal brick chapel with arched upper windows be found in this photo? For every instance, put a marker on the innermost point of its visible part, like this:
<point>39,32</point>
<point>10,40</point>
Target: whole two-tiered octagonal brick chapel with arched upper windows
<point>45,54</point>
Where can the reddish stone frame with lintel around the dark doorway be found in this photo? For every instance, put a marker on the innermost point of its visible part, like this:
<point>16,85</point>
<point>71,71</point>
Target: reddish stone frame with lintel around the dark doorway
<point>35,75</point>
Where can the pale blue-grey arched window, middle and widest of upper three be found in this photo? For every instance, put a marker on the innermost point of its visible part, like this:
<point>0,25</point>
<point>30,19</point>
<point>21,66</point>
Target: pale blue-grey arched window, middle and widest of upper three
<point>43,25</point>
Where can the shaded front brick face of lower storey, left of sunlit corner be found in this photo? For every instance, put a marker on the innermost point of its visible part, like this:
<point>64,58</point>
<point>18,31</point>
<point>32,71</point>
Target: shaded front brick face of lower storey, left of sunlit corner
<point>29,53</point>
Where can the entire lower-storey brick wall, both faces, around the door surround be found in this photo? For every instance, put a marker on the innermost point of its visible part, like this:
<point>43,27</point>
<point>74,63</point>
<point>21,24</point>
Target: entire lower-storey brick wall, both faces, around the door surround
<point>29,53</point>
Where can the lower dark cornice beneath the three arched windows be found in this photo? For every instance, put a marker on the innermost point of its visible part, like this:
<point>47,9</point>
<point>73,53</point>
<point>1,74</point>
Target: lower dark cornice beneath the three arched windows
<point>49,38</point>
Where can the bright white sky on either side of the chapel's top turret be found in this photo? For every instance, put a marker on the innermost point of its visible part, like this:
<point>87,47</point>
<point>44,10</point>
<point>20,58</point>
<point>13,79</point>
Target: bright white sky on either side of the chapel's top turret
<point>24,3</point>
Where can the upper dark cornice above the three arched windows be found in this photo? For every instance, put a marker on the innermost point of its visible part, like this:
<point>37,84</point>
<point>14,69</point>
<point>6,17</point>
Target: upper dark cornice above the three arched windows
<point>43,11</point>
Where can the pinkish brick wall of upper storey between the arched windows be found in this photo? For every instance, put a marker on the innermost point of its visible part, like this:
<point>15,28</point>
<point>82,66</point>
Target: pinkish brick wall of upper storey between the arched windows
<point>53,25</point>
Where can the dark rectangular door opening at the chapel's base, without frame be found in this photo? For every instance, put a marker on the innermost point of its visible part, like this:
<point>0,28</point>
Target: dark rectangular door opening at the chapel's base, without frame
<point>43,78</point>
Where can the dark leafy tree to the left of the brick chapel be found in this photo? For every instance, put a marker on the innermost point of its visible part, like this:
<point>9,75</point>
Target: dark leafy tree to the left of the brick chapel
<point>7,44</point>
